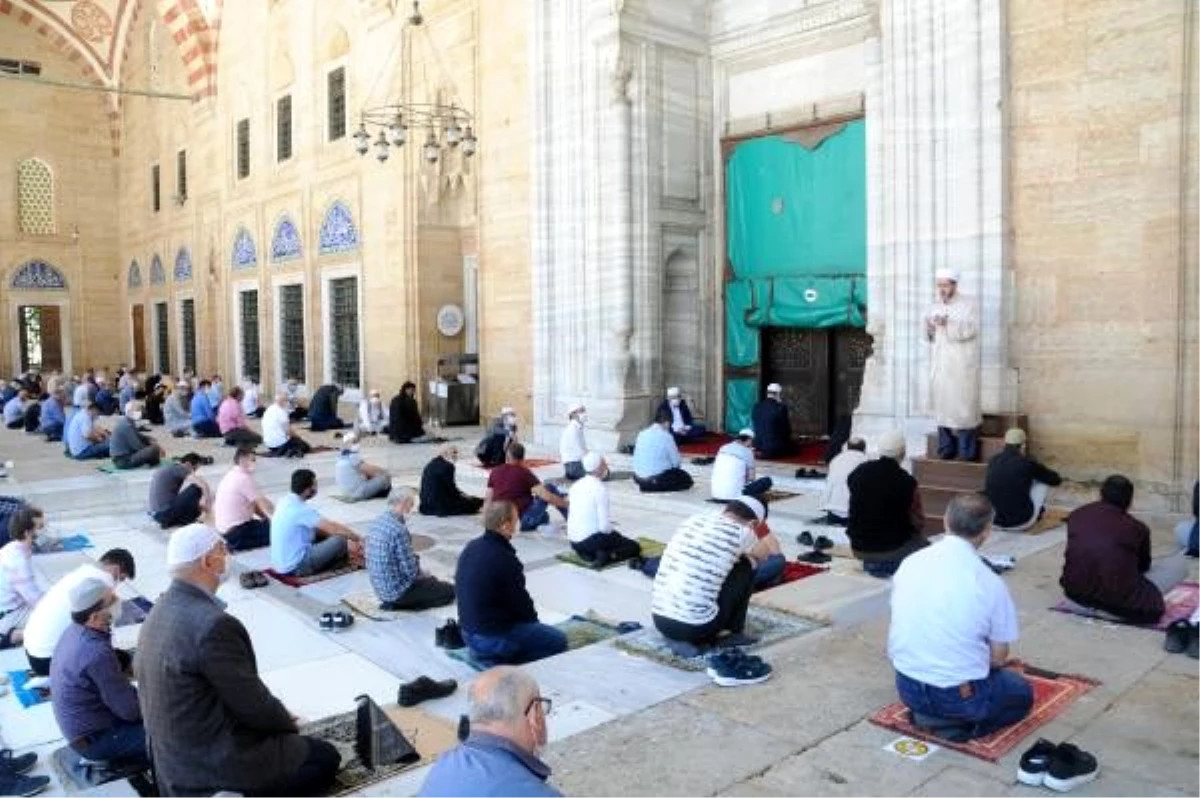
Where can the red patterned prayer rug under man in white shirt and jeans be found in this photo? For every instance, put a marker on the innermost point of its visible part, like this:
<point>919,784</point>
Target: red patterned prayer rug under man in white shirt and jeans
<point>1053,694</point>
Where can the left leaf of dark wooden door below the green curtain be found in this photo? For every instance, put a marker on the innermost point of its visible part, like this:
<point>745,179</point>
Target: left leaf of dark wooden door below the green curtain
<point>800,362</point>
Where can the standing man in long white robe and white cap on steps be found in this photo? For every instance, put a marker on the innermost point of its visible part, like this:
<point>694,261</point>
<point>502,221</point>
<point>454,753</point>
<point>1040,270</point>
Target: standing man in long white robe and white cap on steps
<point>952,326</point>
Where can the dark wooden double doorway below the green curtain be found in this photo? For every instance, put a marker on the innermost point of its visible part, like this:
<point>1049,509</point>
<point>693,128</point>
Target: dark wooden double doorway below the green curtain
<point>821,371</point>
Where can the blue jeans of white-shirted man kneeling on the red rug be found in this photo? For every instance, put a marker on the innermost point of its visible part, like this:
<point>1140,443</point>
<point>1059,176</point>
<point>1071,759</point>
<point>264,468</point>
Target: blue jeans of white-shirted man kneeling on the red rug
<point>1001,700</point>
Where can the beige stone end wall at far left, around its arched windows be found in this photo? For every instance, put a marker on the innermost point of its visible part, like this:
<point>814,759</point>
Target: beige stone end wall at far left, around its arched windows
<point>70,131</point>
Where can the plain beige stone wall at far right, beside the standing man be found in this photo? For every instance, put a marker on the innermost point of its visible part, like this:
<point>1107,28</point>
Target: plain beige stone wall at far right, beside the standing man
<point>1096,184</point>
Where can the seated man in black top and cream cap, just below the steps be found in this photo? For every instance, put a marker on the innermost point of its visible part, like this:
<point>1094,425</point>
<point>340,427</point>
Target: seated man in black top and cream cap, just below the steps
<point>886,518</point>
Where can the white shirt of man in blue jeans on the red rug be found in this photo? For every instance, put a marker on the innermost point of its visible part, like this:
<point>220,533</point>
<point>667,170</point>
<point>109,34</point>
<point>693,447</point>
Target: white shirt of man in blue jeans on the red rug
<point>947,607</point>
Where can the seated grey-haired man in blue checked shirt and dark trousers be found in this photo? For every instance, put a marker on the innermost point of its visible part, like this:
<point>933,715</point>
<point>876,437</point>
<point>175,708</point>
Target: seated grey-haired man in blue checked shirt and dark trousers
<point>393,566</point>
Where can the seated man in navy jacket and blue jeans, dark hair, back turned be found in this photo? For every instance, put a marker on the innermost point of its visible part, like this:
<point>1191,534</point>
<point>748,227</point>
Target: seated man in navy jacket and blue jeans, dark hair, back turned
<point>496,613</point>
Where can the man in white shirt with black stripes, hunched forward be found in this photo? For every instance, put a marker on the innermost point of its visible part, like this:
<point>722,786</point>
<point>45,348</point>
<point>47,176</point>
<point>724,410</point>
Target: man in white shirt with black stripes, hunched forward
<point>705,580</point>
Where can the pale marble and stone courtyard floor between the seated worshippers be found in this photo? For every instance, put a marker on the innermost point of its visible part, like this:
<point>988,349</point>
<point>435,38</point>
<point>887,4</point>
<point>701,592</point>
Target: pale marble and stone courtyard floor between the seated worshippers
<point>628,727</point>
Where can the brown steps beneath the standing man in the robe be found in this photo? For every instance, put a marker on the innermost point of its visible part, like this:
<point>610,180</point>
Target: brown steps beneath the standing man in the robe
<point>941,481</point>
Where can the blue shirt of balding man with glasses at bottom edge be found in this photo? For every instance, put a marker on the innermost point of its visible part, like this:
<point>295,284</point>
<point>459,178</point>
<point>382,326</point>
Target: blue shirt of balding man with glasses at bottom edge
<point>488,766</point>
